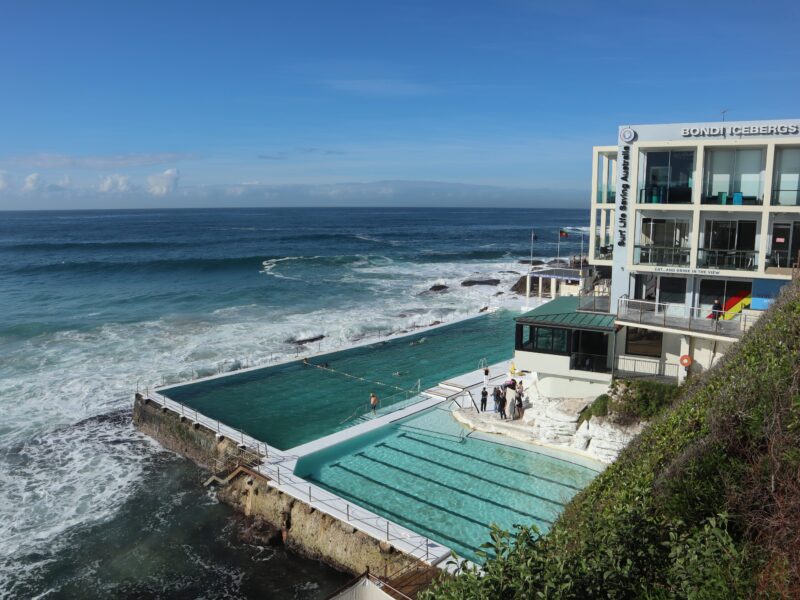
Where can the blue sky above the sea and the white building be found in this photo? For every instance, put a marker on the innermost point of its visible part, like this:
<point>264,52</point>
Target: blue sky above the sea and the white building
<point>181,103</point>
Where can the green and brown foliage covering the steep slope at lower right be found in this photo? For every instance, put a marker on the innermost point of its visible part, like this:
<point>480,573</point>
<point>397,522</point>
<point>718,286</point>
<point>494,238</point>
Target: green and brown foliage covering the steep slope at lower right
<point>704,504</point>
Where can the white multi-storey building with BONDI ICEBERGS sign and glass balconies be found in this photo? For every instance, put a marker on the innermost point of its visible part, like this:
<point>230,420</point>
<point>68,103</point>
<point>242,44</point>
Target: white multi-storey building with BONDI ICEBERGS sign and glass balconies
<point>684,216</point>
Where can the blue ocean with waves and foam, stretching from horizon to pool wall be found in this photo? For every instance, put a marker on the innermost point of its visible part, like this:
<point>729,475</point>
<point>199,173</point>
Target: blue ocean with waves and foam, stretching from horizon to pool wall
<point>96,303</point>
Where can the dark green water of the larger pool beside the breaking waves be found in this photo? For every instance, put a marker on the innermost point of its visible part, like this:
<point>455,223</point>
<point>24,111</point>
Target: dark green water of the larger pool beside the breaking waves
<point>291,404</point>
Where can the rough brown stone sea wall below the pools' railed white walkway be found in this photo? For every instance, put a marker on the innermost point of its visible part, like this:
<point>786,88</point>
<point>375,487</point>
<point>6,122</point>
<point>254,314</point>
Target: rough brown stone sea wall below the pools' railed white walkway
<point>304,529</point>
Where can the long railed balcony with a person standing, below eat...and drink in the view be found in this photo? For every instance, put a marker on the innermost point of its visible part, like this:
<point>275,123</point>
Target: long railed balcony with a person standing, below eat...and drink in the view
<point>683,318</point>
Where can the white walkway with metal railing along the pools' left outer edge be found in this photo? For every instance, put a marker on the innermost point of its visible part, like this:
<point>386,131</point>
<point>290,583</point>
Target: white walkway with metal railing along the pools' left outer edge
<point>283,477</point>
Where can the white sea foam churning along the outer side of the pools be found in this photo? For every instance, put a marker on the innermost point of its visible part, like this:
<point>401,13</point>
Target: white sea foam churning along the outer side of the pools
<point>59,471</point>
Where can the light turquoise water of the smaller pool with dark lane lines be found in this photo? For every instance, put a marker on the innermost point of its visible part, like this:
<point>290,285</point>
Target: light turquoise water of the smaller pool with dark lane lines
<point>425,472</point>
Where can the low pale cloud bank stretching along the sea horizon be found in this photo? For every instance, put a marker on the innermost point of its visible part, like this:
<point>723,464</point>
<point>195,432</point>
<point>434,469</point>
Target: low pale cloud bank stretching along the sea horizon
<point>162,190</point>
